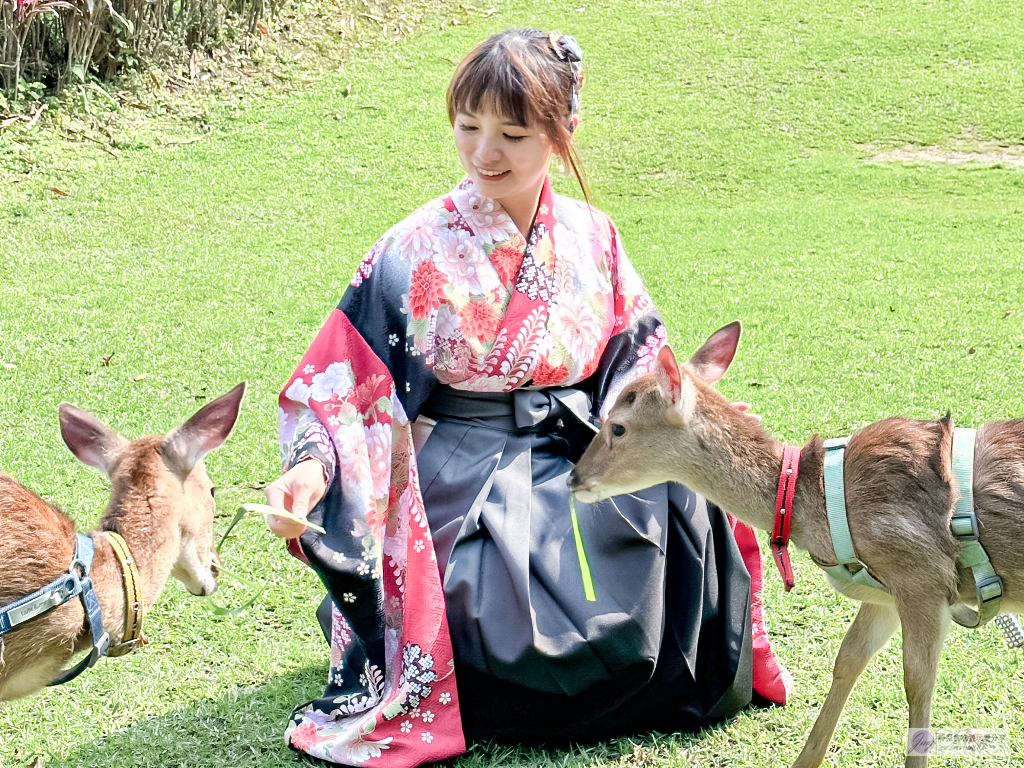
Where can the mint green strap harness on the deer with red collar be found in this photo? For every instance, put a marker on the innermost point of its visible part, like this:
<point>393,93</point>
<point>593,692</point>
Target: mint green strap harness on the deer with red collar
<point>964,528</point>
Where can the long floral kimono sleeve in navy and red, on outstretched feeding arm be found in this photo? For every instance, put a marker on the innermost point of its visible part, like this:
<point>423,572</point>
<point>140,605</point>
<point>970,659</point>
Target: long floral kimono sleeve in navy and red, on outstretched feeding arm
<point>392,694</point>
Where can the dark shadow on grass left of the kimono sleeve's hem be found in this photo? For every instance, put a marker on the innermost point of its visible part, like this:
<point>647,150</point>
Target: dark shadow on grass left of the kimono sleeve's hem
<point>240,730</point>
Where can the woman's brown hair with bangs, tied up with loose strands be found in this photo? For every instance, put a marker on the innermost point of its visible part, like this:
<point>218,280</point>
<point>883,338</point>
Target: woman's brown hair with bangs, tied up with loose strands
<point>521,74</point>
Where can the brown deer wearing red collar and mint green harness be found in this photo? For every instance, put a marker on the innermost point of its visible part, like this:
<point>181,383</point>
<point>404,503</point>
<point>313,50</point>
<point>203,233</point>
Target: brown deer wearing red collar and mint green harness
<point>900,501</point>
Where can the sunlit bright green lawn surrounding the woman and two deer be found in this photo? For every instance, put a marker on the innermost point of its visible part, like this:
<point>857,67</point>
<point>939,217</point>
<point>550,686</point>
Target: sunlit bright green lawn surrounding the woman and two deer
<point>728,140</point>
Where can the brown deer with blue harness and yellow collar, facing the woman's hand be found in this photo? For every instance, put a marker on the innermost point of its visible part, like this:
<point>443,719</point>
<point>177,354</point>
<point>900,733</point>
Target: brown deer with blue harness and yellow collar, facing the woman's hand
<point>162,505</point>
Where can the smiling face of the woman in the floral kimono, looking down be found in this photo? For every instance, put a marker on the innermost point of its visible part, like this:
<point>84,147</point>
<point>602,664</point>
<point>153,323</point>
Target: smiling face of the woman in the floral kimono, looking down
<point>506,162</point>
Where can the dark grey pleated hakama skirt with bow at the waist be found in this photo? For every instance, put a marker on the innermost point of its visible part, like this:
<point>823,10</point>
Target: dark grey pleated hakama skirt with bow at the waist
<point>666,643</point>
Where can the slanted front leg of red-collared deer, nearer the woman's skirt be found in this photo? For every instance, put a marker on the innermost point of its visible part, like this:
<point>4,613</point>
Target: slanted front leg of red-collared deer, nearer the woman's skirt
<point>872,629</point>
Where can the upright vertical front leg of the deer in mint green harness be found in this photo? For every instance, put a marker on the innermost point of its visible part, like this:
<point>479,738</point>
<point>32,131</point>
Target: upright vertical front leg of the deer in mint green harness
<point>924,634</point>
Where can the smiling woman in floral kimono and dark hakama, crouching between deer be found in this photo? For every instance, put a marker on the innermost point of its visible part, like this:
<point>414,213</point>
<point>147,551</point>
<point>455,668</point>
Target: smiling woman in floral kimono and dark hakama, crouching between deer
<point>431,430</point>
